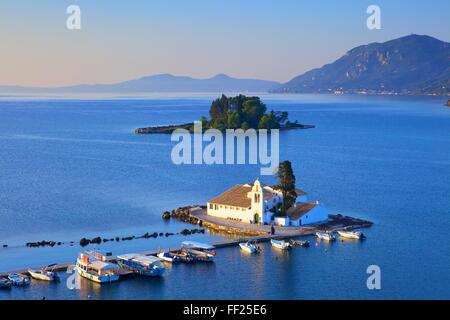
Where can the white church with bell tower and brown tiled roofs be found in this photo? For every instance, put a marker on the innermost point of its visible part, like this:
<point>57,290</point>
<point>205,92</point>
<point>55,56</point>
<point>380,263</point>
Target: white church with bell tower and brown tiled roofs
<point>254,203</point>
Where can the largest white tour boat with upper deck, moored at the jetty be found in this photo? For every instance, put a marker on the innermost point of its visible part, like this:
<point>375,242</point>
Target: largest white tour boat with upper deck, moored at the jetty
<point>91,265</point>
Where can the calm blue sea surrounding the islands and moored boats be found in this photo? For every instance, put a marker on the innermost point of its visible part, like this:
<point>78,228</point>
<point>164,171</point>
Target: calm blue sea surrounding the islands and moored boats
<point>73,168</point>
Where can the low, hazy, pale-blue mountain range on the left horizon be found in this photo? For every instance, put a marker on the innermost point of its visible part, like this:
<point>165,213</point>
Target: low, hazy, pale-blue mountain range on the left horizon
<point>157,83</point>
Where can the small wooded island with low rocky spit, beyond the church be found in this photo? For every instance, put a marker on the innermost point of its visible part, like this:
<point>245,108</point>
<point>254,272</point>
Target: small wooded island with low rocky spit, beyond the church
<point>240,112</point>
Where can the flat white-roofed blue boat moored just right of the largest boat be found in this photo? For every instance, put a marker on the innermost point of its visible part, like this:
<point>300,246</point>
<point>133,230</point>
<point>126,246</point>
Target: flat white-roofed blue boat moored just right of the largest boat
<point>140,264</point>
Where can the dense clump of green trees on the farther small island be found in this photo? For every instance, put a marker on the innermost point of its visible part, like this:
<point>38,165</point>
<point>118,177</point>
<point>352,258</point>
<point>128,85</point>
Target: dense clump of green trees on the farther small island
<point>243,112</point>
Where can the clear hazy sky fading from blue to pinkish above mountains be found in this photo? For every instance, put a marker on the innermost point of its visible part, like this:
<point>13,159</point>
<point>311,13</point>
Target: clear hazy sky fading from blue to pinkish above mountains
<point>265,39</point>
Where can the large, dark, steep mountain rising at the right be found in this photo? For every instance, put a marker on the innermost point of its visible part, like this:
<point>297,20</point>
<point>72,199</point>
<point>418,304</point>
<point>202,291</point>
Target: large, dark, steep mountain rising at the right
<point>413,64</point>
